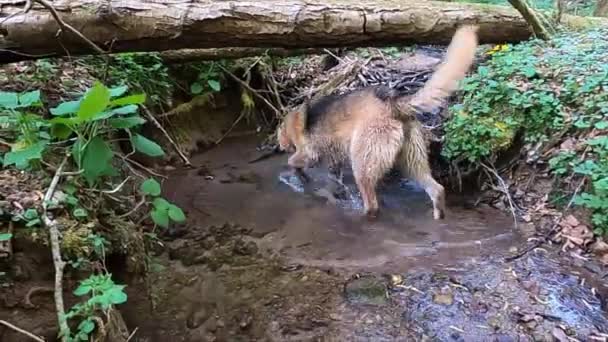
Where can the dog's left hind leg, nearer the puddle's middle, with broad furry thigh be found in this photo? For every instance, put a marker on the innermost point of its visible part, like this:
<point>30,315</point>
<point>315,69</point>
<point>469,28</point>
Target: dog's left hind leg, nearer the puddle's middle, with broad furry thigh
<point>374,148</point>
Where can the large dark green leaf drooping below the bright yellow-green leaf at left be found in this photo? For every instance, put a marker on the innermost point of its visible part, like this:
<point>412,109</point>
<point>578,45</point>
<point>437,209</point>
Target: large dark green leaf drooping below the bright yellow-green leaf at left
<point>96,160</point>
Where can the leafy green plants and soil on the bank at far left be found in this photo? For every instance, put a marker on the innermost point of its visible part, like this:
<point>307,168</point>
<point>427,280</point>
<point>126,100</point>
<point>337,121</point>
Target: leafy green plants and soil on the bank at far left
<point>93,204</point>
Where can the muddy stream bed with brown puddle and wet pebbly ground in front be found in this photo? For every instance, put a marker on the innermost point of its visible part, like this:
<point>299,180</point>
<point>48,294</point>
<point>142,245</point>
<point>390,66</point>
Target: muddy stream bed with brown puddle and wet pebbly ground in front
<point>263,258</point>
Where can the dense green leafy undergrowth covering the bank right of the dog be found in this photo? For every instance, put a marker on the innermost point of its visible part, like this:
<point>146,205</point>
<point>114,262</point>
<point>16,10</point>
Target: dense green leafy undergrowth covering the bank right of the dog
<point>556,94</point>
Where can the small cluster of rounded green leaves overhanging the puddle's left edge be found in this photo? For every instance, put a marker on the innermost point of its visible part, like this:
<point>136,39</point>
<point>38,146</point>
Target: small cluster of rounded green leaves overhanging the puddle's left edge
<point>163,211</point>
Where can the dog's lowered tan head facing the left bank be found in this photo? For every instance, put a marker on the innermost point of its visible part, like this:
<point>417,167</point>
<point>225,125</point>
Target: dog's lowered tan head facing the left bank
<point>292,138</point>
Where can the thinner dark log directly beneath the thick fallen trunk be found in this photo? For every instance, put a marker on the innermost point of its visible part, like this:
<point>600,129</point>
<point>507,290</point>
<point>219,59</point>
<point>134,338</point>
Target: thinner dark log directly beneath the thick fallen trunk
<point>191,55</point>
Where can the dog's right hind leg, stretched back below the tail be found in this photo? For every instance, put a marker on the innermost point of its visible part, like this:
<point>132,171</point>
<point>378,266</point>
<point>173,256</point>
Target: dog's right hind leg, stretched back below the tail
<point>414,163</point>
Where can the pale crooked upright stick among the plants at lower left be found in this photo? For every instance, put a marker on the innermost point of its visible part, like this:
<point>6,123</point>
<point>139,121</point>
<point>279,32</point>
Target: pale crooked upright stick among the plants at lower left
<point>56,250</point>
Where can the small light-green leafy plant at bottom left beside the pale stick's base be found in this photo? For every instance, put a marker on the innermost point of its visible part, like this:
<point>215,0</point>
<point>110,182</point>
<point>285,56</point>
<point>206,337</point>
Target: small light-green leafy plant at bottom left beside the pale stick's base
<point>103,294</point>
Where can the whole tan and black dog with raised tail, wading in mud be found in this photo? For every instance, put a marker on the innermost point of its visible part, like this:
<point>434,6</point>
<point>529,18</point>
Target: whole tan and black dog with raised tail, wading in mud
<point>376,129</point>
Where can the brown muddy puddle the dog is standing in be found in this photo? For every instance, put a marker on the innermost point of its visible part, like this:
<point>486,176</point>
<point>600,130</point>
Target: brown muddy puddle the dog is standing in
<point>309,225</point>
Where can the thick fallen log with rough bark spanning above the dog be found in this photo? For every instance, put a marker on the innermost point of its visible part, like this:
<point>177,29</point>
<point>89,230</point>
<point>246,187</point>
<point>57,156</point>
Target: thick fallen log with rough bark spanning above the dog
<point>158,25</point>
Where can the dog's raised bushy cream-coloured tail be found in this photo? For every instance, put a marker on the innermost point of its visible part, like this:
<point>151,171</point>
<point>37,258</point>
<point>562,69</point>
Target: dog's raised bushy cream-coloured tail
<point>459,58</point>
